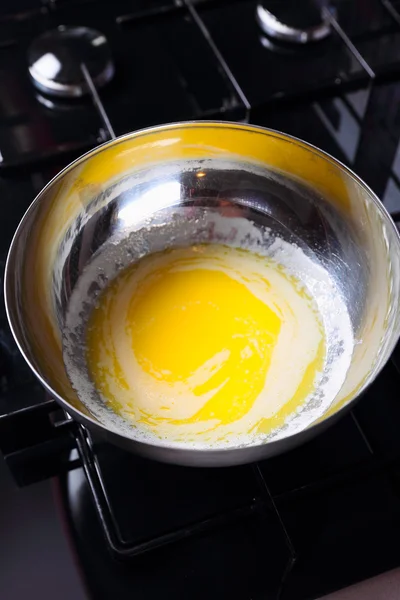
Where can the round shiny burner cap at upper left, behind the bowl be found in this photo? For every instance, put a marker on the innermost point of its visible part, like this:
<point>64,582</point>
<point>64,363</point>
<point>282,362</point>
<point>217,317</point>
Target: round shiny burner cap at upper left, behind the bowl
<point>55,60</point>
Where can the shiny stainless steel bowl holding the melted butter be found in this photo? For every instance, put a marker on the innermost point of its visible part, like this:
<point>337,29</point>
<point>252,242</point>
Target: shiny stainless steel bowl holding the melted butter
<point>194,182</point>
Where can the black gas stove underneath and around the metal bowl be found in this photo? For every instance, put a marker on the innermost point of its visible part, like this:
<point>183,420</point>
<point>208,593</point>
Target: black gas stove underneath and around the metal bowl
<point>77,73</point>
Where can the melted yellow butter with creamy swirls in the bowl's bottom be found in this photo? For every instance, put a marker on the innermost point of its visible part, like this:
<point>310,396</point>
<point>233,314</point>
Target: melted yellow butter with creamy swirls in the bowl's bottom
<point>205,344</point>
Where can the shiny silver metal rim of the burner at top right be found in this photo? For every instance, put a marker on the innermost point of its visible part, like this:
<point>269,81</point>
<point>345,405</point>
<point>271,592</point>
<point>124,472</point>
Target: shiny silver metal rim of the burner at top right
<point>276,28</point>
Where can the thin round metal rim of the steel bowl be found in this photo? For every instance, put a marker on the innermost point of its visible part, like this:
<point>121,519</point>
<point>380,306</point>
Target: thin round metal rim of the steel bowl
<point>87,419</point>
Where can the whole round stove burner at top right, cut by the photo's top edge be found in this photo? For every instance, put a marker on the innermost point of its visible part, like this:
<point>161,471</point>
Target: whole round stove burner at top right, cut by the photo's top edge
<point>284,21</point>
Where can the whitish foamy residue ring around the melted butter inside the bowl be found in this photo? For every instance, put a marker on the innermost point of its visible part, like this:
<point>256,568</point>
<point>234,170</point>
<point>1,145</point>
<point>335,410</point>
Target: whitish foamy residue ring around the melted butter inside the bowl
<point>206,226</point>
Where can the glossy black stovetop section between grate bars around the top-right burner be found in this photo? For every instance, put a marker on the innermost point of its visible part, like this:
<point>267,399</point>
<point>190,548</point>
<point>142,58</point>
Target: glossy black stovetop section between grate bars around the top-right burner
<point>269,70</point>
